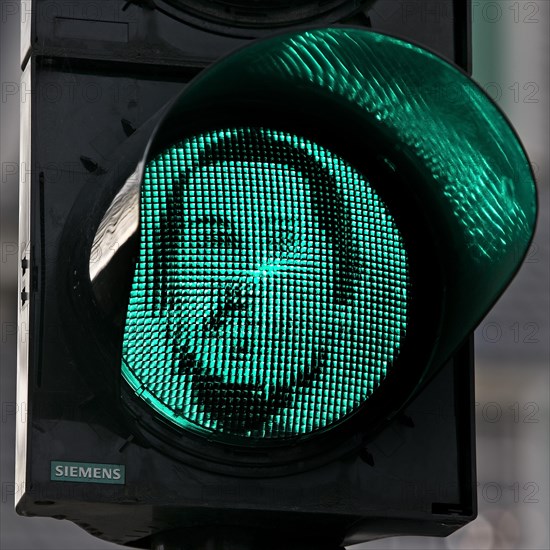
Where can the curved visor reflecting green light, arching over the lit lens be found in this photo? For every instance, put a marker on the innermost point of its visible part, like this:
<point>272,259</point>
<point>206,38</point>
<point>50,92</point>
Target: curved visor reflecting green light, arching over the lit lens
<point>477,186</point>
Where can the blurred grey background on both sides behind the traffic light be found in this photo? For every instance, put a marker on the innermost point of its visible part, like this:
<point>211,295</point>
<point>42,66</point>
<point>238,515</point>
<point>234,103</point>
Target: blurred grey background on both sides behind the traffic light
<point>510,58</point>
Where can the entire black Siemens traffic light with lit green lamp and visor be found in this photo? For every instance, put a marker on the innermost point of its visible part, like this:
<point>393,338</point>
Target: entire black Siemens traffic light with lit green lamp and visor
<point>251,293</point>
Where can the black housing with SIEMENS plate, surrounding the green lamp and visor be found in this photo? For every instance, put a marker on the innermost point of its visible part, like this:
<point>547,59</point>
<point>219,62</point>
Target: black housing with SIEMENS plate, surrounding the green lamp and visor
<point>97,78</point>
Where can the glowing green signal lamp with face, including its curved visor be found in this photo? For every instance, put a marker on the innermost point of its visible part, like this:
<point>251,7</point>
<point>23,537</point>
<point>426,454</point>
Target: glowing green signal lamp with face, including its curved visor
<point>273,290</point>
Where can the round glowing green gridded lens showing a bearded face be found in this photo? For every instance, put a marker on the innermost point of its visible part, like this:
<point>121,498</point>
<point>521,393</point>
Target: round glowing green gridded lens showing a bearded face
<point>271,292</point>
